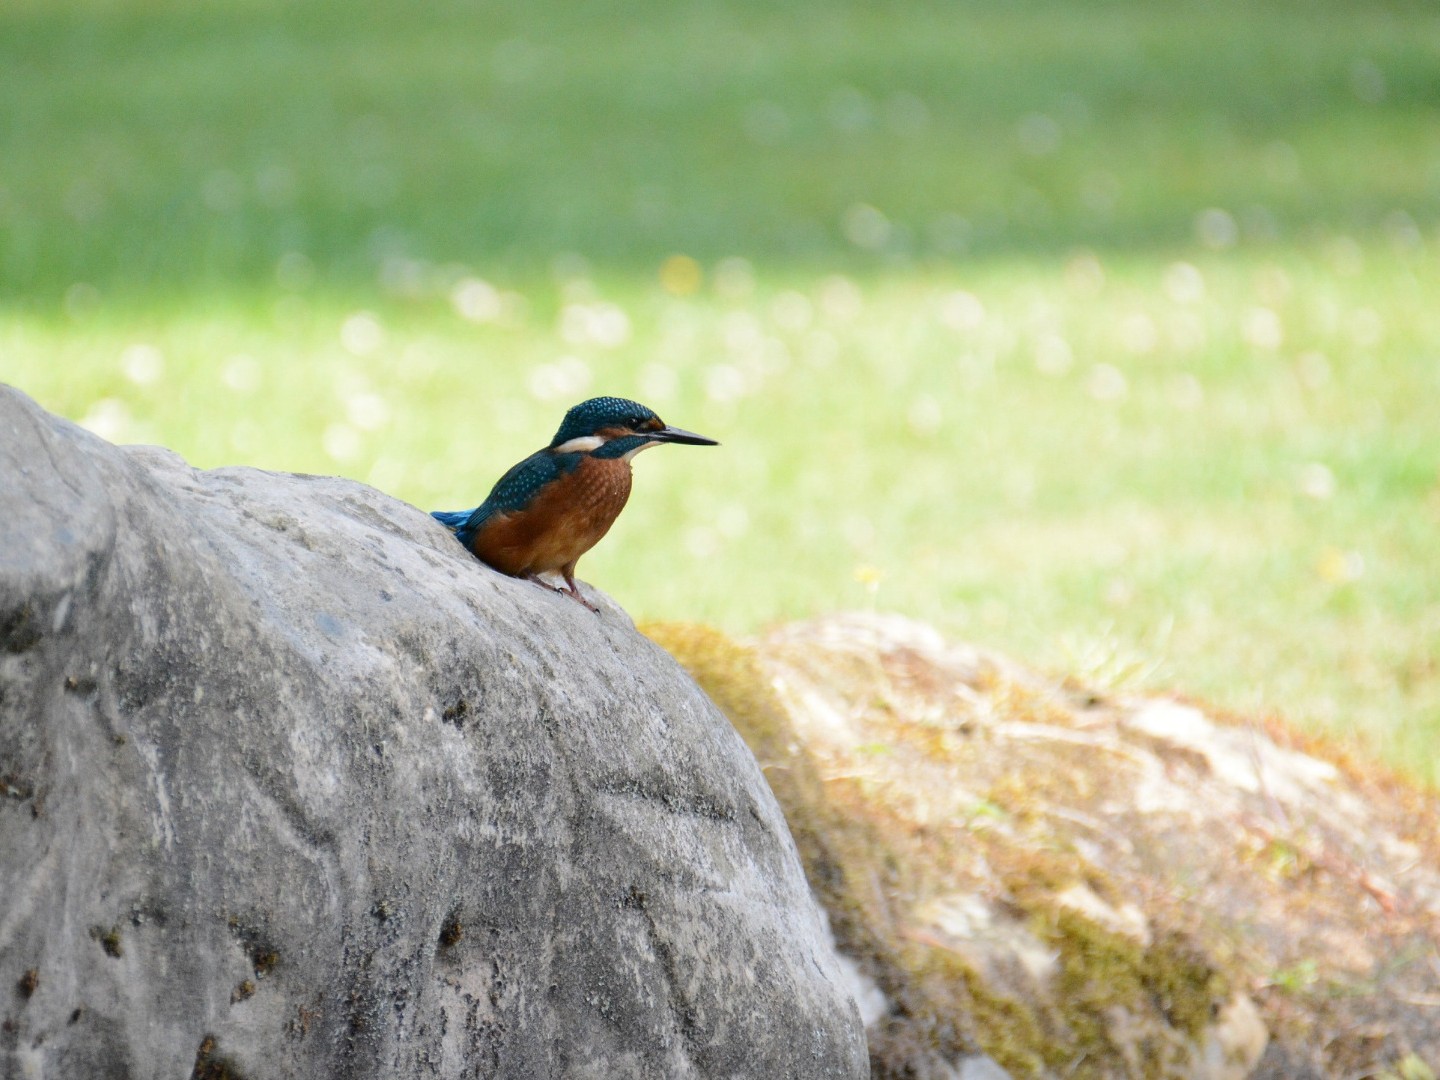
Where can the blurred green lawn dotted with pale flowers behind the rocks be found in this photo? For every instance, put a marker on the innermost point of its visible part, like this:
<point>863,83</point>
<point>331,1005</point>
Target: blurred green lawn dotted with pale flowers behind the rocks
<point>1105,333</point>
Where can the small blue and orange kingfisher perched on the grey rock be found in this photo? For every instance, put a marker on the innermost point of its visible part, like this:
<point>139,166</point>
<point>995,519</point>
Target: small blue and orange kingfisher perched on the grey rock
<point>557,505</point>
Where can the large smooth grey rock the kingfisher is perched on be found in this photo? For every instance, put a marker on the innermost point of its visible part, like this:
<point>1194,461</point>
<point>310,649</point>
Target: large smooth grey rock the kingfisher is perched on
<point>296,788</point>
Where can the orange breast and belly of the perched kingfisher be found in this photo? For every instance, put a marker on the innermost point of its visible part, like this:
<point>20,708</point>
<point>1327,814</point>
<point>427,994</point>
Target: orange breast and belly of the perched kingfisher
<point>564,522</point>
